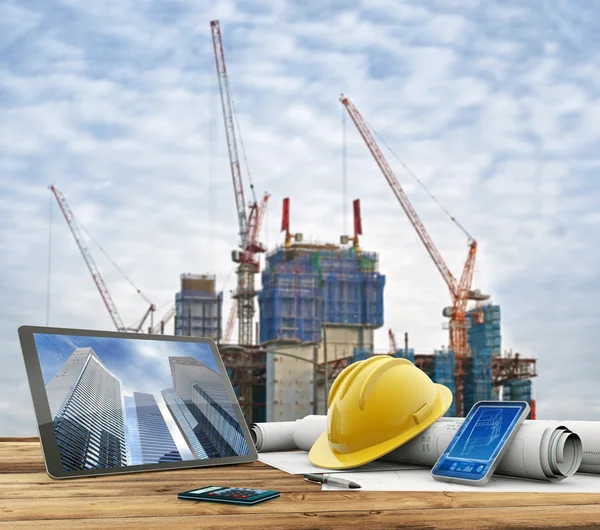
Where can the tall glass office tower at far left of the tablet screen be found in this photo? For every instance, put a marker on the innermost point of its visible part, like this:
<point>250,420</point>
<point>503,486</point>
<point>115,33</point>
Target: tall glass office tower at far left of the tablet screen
<point>87,411</point>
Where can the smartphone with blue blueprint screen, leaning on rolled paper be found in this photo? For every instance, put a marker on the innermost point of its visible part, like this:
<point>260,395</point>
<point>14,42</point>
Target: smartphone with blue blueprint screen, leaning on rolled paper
<point>481,442</point>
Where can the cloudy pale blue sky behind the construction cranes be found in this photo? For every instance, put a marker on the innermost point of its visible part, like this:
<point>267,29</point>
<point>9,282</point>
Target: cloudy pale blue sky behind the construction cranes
<point>493,105</point>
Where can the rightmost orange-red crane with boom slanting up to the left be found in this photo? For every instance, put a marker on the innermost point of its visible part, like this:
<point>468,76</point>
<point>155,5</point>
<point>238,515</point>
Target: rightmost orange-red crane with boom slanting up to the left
<point>460,291</point>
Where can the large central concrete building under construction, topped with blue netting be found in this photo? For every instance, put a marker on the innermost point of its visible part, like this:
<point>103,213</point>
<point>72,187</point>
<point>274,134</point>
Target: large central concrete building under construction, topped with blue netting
<point>318,302</point>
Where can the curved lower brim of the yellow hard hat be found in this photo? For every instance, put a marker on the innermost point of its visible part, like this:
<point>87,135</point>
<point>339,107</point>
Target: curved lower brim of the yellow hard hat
<point>321,454</point>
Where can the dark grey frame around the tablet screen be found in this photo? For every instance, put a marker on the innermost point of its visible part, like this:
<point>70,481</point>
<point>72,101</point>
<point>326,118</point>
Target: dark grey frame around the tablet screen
<point>45,427</point>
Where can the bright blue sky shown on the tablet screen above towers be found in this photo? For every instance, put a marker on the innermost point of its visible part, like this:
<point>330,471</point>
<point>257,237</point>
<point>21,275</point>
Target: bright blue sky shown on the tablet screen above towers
<point>140,365</point>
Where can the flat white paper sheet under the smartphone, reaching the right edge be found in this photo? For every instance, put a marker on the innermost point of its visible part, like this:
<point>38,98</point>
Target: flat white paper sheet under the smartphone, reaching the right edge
<point>421,480</point>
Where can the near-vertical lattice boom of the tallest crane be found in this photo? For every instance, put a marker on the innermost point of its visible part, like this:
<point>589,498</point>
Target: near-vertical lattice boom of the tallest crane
<point>230,130</point>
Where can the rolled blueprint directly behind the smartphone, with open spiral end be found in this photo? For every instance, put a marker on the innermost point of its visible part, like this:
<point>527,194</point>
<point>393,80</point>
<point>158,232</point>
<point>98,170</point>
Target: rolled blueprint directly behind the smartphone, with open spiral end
<point>546,451</point>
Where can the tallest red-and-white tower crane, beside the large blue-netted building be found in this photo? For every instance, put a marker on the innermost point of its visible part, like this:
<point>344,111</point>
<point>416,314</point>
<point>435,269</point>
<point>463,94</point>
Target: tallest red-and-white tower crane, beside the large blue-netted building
<point>246,256</point>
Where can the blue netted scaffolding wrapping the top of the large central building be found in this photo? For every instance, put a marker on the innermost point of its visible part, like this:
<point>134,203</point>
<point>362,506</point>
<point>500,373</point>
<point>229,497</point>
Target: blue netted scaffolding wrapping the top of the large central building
<point>308,286</point>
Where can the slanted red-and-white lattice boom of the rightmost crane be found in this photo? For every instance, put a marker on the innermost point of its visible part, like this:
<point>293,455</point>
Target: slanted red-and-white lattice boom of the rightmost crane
<point>364,131</point>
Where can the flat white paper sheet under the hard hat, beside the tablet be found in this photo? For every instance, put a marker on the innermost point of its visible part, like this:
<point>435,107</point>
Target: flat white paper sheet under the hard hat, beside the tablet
<point>297,463</point>
